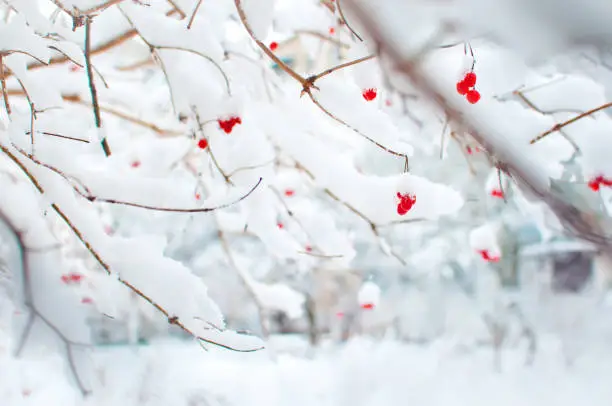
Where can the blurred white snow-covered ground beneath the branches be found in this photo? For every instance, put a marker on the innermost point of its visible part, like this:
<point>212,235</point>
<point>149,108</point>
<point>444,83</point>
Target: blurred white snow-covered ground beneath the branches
<point>362,373</point>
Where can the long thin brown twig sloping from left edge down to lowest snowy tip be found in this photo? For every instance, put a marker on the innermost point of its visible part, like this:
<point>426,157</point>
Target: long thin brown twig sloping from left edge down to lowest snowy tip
<point>172,319</point>
